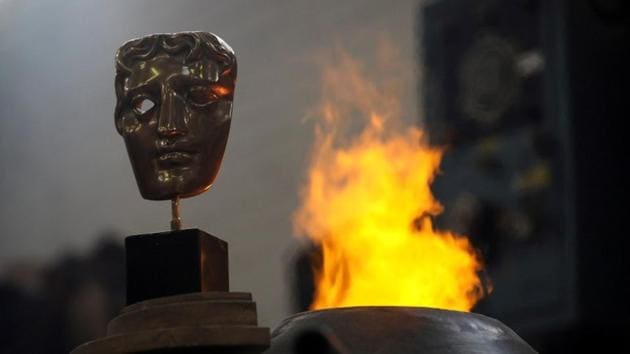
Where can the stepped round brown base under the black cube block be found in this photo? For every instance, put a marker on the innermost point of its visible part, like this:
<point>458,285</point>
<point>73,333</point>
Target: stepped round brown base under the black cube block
<point>211,322</point>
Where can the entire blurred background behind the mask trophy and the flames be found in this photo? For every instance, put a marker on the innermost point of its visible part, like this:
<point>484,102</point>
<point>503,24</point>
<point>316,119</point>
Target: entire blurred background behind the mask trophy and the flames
<point>528,96</point>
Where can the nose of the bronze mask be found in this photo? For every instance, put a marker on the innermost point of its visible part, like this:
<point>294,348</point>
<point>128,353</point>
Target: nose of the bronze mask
<point>172,115</point>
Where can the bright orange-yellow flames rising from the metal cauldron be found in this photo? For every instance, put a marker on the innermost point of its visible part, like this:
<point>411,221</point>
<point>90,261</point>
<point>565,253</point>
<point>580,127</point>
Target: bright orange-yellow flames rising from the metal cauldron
<point>368,204</point>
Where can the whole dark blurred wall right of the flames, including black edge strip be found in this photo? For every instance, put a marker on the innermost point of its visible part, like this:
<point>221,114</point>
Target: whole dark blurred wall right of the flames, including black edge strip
<point>563,283</point>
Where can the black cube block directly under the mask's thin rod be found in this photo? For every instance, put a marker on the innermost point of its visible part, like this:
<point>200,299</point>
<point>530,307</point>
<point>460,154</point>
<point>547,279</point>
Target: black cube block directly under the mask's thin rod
<point>175,262</point>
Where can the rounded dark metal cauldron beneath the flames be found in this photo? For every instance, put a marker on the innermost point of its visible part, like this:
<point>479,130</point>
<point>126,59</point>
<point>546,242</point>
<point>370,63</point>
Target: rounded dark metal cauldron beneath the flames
<point>394,330</point>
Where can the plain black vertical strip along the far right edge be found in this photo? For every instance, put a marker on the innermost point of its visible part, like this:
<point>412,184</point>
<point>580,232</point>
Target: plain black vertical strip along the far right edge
<point>598,58</point>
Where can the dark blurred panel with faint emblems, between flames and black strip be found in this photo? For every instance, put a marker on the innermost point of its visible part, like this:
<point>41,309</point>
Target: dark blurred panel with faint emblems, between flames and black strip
<point>490,96</point>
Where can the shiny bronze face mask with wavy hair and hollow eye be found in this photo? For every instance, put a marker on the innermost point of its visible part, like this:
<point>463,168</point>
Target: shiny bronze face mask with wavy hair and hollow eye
<point>174,107</point>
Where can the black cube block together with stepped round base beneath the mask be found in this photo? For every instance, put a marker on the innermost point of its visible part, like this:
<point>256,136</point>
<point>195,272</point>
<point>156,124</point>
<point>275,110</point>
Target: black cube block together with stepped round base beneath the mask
<point>178,301</point>
